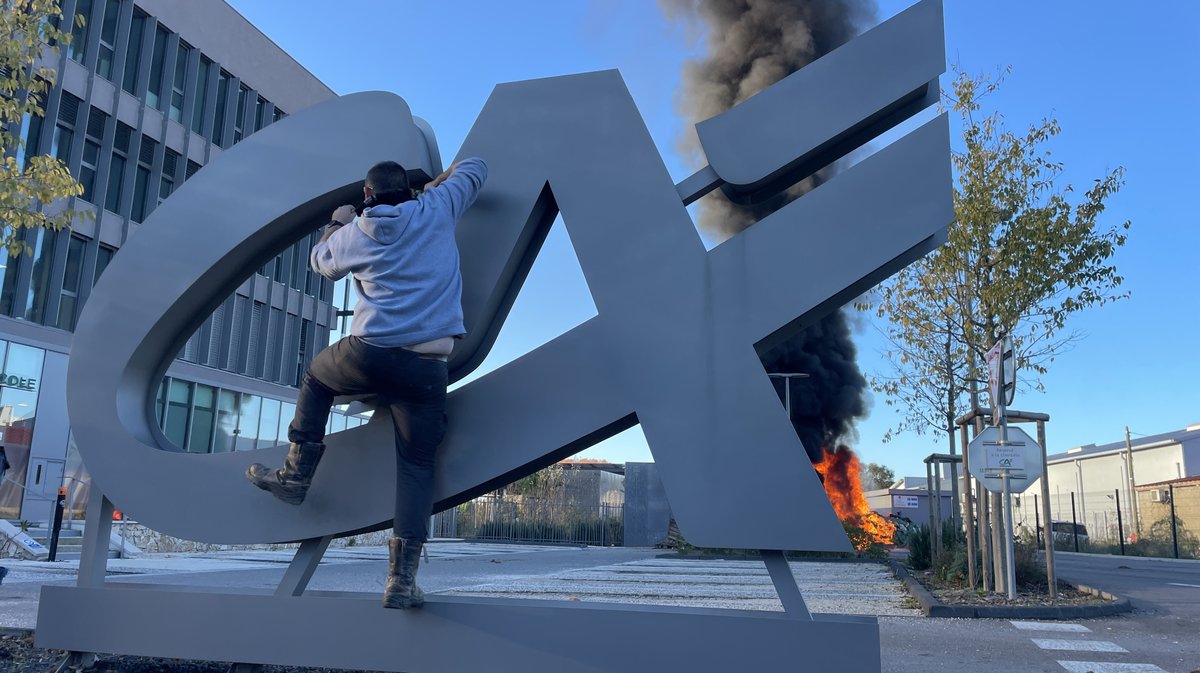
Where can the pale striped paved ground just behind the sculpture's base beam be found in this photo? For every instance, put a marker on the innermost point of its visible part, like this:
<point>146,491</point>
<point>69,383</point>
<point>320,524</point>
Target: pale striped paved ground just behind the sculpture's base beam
<point>509,570</point>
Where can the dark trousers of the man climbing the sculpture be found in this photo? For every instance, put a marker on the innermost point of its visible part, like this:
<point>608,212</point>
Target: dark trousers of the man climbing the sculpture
<point>411,387</point>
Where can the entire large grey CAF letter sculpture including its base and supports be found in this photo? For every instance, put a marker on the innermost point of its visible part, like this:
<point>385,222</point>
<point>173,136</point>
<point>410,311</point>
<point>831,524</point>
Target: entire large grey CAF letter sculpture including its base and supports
<point>733,467</point>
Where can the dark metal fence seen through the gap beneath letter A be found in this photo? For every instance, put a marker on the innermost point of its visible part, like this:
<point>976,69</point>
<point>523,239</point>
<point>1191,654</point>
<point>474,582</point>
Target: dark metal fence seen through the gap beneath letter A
<point>533,520</point>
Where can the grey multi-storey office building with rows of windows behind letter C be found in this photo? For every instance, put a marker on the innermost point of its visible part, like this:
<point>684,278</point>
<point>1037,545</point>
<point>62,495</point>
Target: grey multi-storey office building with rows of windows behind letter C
<point>149,92</point>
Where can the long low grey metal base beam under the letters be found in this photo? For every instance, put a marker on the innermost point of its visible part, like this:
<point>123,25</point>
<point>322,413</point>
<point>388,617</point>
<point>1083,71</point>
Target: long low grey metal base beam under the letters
<point>505,636</point>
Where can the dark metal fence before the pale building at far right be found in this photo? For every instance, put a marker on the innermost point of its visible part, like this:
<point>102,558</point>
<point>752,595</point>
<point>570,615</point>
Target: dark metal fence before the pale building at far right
<point>1162,521</point>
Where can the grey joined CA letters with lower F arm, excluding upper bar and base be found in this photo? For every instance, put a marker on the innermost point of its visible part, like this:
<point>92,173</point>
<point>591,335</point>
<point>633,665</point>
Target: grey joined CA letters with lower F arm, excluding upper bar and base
<point>709,411</point>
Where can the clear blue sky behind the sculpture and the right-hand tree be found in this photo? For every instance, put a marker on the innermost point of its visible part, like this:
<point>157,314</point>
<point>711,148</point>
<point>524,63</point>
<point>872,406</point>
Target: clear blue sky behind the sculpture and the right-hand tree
<point>1123,80</point>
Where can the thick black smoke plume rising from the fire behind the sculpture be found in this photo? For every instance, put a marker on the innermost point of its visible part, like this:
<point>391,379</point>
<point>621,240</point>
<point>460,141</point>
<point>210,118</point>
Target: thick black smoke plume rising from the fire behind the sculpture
<point>752,45</point>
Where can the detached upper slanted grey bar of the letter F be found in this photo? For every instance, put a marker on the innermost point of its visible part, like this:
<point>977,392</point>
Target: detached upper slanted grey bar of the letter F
<point>831,107</point>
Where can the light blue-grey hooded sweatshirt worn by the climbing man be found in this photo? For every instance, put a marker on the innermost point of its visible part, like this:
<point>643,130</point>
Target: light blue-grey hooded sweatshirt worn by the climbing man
<point>405,262</point>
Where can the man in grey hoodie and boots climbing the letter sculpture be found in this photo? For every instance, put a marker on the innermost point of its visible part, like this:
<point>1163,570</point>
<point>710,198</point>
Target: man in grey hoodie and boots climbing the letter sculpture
<point>405,263</point>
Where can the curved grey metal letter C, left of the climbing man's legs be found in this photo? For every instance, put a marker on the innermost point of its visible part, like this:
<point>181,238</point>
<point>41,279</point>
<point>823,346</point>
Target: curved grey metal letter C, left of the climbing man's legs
<point>224,224</point>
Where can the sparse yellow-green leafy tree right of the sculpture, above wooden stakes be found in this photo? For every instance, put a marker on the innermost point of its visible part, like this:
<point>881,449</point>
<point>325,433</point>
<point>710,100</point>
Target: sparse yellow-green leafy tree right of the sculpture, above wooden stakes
<point>1024,255</point>
